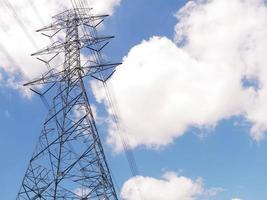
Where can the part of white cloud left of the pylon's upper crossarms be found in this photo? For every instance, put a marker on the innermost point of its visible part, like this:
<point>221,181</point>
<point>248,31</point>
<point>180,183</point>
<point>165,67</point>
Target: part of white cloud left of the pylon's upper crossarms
<point>16,46</point>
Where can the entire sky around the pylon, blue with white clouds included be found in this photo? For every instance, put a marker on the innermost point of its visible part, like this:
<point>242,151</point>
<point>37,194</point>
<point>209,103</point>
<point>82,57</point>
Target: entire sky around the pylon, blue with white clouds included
<point>190,96</point>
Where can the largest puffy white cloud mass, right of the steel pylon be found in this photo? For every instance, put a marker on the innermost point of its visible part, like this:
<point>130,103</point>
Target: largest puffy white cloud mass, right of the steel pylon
<point>214,69</point>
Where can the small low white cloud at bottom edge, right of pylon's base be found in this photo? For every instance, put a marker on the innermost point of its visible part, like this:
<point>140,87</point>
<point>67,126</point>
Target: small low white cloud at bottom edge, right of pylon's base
<point>171,187</point>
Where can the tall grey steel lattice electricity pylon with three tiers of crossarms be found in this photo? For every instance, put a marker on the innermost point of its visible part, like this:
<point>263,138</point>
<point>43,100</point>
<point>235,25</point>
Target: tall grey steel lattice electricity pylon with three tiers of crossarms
<point>69,161</point>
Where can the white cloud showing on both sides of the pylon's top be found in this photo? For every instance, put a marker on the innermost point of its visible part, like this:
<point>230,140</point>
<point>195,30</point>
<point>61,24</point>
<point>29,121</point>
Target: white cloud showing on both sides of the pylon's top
<point>18,22</point>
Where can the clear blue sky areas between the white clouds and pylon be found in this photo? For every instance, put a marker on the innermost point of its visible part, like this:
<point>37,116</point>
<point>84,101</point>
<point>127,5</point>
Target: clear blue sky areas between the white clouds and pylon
<point>225,156</point>
